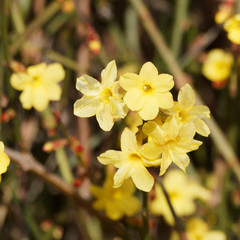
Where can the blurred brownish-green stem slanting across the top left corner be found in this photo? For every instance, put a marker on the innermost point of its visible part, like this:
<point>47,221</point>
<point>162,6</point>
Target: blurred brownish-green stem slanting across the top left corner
<point>40,20</point>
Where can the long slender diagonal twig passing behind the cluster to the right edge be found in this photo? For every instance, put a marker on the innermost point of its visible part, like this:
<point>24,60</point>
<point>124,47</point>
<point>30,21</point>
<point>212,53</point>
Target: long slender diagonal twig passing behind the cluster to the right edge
<point>181,79</point>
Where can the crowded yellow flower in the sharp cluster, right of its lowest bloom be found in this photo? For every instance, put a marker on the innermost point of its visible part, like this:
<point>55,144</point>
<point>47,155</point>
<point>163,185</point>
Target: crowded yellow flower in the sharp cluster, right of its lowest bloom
<point>169,141</point>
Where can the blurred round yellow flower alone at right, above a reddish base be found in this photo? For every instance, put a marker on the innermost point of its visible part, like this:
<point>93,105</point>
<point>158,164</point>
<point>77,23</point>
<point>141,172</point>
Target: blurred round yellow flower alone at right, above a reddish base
<point>217,67</point>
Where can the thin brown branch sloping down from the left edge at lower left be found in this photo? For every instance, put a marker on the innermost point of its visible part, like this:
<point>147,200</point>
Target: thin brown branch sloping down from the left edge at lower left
<point>29,164</point>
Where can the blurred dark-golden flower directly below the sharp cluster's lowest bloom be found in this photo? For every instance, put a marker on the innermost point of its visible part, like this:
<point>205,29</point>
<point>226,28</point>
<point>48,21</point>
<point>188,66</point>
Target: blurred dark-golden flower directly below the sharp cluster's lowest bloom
<point>117,202</point>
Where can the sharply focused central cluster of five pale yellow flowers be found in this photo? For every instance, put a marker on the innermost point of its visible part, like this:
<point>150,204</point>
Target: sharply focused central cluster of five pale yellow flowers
<point>165,132</point>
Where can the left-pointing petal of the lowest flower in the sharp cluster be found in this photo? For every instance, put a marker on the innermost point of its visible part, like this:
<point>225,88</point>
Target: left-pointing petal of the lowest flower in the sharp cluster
<point>111,157</point>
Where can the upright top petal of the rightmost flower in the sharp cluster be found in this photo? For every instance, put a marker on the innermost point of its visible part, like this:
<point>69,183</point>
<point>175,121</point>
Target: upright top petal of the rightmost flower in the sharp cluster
<point>186,96</point>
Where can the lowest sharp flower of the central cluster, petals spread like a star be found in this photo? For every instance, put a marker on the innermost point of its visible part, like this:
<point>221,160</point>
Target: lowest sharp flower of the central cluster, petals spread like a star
<point>130,162</point>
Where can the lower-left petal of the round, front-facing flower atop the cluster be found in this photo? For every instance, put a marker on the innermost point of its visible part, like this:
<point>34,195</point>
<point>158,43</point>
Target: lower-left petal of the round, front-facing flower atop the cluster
<point>134,99</point>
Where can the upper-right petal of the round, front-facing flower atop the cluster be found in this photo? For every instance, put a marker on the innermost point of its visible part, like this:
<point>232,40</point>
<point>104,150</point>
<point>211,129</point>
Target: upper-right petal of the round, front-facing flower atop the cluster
<point>163,83</point>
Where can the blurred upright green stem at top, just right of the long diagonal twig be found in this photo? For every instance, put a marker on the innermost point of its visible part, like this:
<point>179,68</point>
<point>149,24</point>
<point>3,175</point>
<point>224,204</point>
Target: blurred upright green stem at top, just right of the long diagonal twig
<point>178,28</point>
